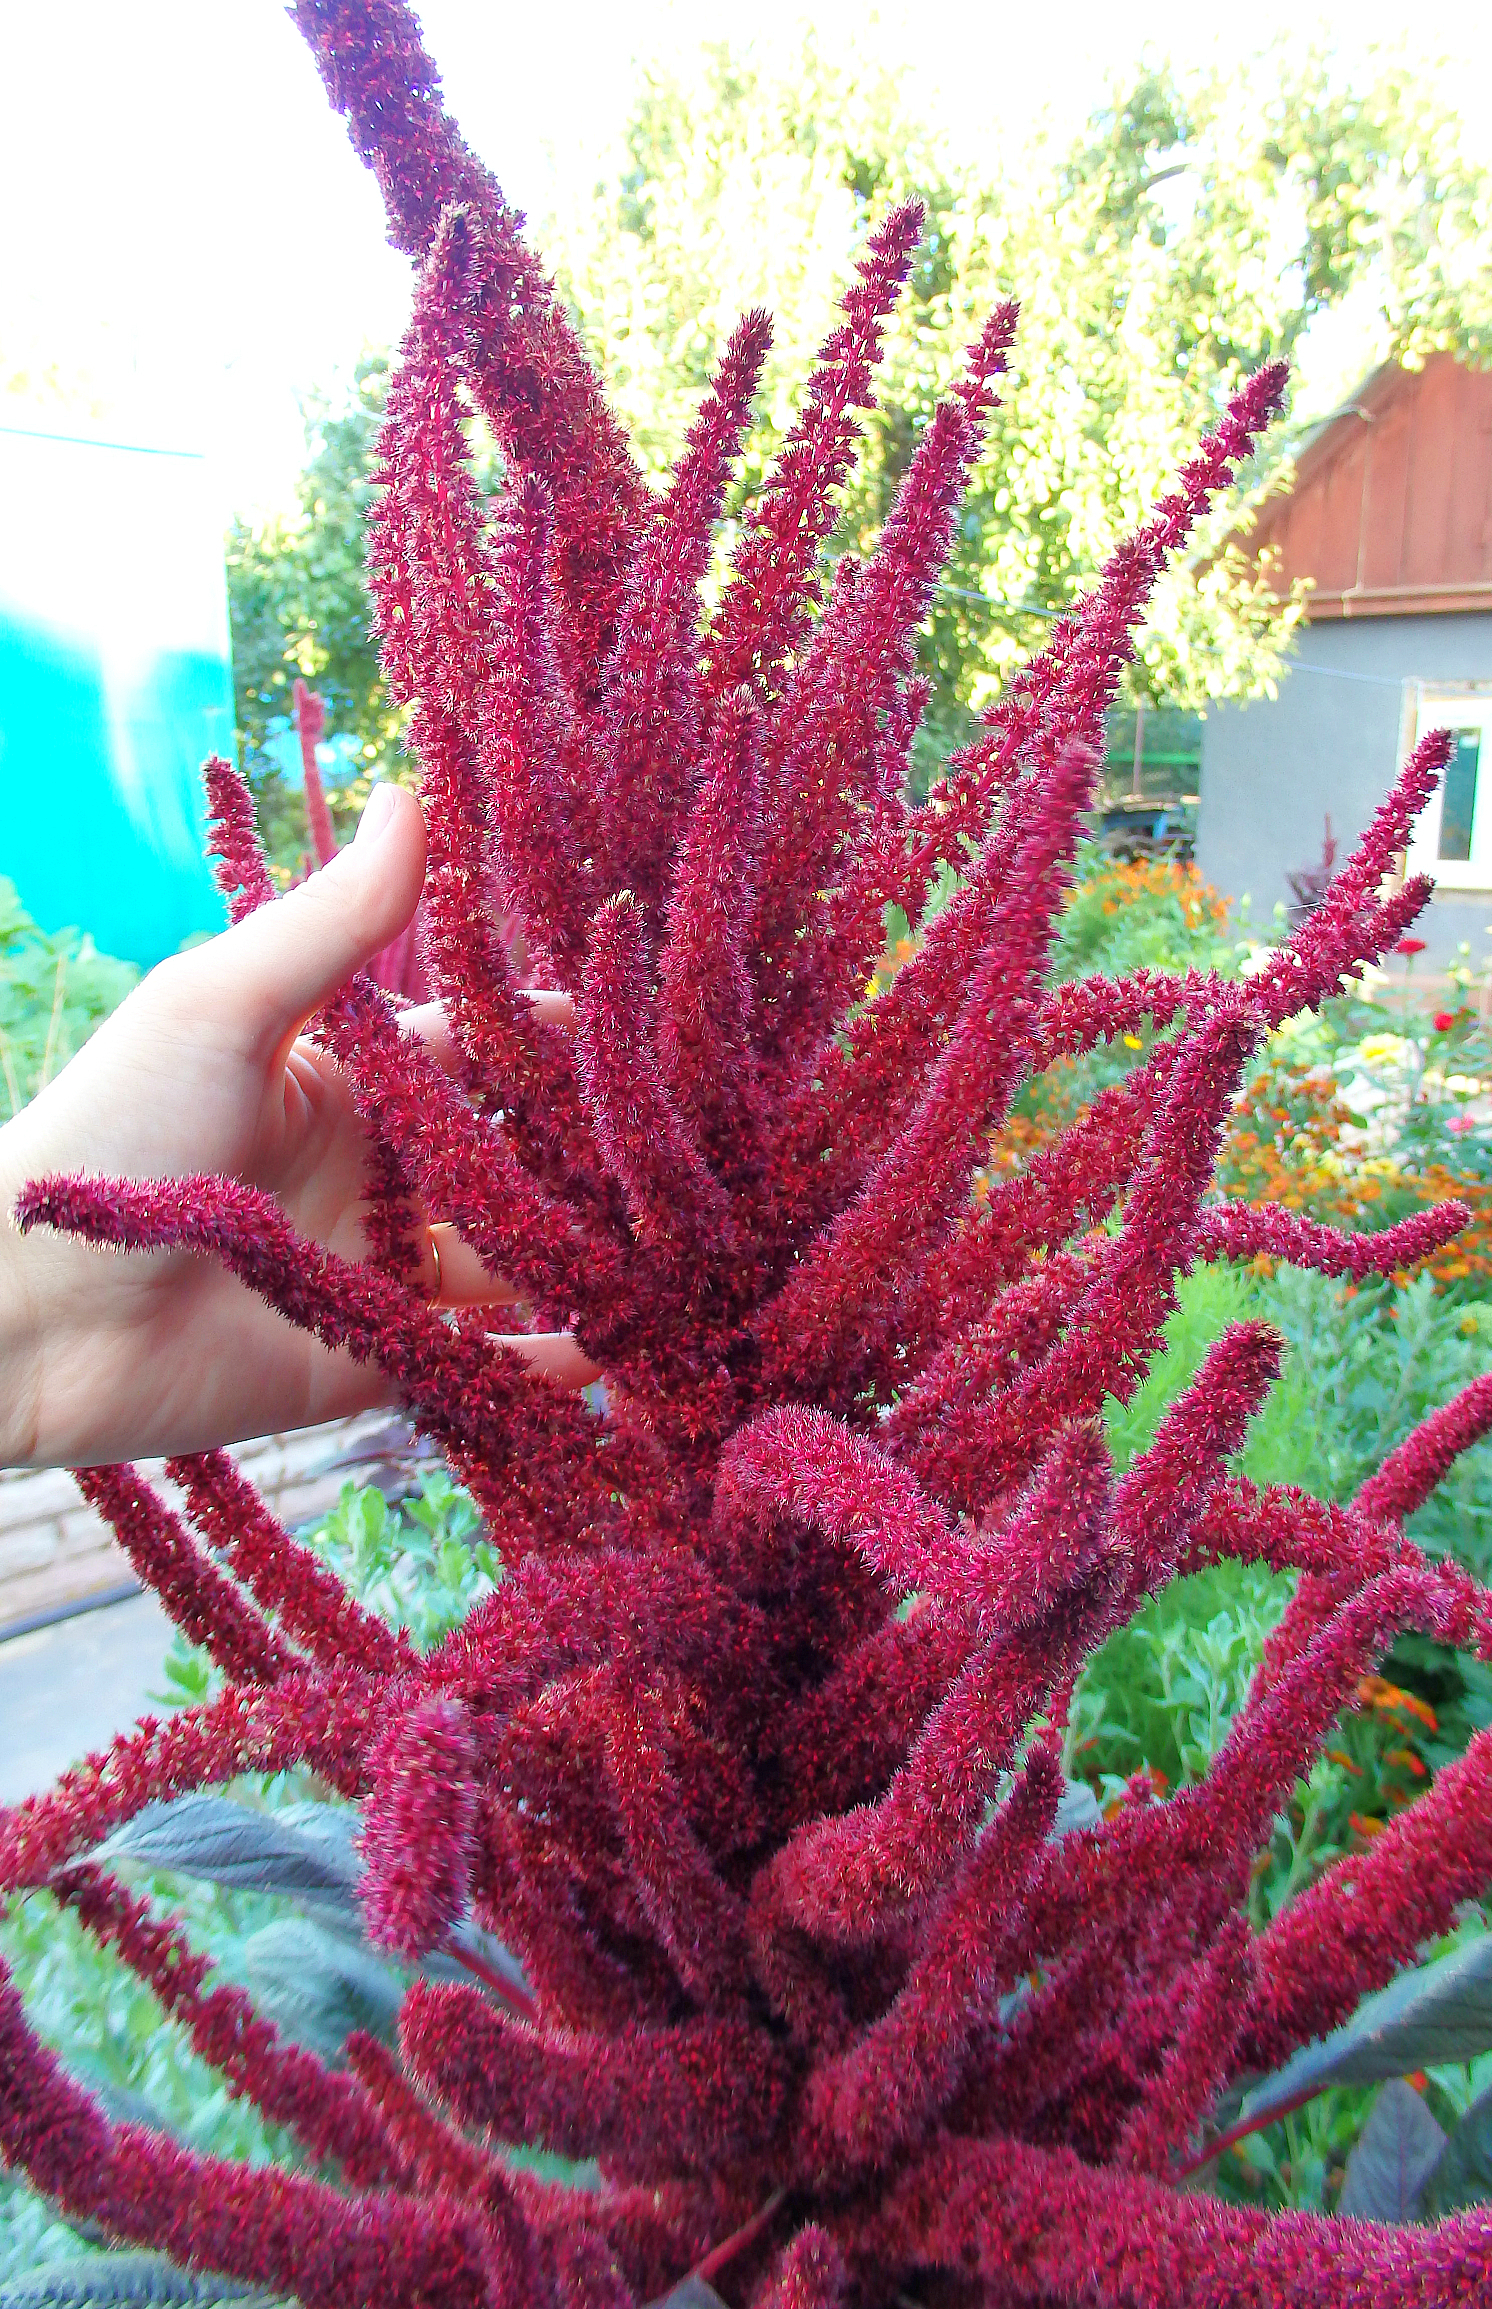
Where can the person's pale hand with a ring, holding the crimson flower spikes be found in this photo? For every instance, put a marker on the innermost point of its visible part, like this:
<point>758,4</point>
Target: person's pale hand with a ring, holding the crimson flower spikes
<point>112,1357</point>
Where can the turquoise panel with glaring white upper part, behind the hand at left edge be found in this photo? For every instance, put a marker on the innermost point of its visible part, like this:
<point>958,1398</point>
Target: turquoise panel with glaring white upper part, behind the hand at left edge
<point>114,685</point>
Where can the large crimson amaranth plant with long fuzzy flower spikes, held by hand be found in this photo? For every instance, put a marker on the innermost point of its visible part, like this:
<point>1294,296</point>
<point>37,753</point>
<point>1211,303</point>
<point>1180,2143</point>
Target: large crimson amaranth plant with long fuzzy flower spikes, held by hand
<point>752,1761</point>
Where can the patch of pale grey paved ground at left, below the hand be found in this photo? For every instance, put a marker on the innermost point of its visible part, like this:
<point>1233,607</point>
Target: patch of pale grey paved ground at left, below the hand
<point>68,1689</point>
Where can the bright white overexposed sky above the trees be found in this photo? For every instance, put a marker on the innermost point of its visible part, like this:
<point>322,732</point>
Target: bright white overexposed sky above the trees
<point>191,241</point>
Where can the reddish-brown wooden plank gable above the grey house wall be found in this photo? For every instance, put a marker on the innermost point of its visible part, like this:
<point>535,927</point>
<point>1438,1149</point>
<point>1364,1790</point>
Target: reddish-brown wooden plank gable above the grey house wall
<point>1392,511</point>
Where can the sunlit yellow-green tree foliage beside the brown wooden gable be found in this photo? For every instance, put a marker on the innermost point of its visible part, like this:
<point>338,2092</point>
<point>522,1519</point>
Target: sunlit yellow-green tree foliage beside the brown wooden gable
<point>1193,230</point>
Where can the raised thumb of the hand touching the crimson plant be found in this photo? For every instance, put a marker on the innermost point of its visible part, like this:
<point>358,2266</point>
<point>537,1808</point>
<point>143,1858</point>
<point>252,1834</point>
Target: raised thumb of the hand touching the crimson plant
<point>288,959</point>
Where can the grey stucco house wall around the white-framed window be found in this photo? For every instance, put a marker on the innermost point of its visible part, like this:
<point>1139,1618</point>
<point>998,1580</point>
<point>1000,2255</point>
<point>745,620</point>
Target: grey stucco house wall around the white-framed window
<point>1331,745</point>
